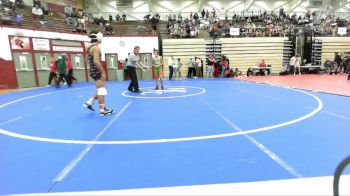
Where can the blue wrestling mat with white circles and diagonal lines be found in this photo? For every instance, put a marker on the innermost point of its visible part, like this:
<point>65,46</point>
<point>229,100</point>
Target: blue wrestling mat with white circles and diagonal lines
<point>194,132</point>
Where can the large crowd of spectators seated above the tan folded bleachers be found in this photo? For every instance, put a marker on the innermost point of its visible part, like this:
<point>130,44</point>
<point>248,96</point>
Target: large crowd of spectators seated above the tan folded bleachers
<point>256,25</point>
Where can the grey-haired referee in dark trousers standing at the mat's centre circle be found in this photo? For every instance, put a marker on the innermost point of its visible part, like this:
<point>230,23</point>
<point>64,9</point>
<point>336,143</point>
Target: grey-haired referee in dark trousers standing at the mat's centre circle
<point>133,62</point>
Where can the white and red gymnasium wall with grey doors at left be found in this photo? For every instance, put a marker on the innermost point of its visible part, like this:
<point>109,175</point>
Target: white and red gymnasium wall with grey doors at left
<point>25,64</point>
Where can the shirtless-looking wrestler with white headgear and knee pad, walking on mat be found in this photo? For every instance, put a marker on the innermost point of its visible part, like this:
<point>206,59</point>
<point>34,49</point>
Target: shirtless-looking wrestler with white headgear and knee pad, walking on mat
<point>97,73</point>
